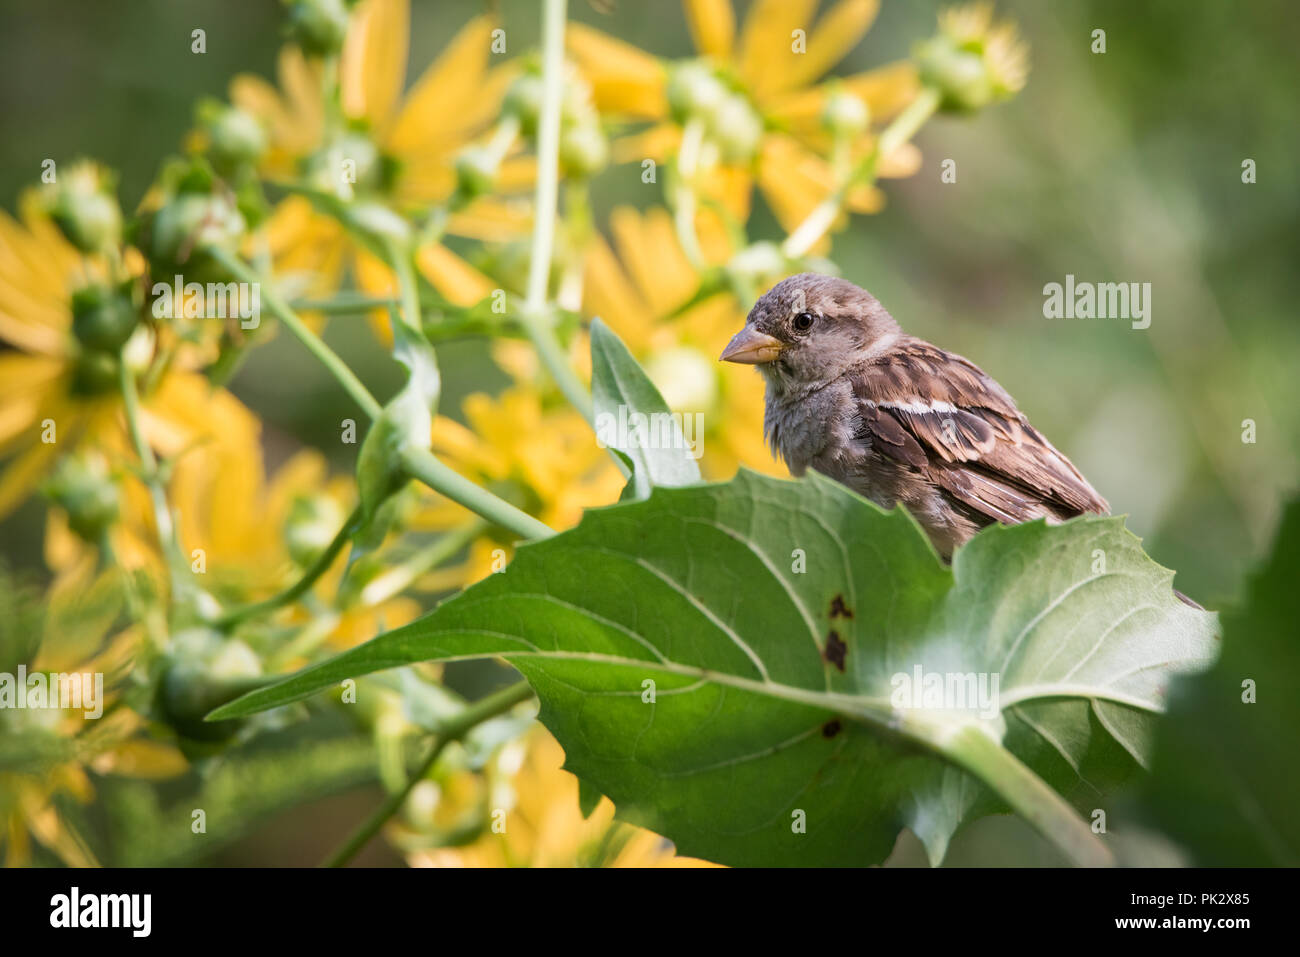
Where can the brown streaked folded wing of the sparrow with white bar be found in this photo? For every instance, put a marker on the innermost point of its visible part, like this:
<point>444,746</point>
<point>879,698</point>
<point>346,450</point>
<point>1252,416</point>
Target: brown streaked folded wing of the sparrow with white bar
<point>939,413</point>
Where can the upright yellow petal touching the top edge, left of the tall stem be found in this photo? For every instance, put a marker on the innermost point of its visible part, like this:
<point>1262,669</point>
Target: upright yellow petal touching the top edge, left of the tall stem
<point>372,67</point>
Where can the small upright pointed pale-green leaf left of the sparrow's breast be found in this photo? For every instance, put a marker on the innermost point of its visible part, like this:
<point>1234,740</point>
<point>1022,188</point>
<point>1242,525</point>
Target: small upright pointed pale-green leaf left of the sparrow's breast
<point>632,418</point>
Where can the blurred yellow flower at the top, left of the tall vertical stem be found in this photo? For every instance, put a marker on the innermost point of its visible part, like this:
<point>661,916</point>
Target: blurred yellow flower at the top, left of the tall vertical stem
<point>404,149</point>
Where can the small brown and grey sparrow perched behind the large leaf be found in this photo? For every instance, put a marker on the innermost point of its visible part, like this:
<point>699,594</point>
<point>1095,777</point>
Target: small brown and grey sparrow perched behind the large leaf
<point>896,419</point>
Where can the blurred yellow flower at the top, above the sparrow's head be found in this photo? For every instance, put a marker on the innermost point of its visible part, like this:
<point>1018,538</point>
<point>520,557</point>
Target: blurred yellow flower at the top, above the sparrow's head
<point>775,67</point>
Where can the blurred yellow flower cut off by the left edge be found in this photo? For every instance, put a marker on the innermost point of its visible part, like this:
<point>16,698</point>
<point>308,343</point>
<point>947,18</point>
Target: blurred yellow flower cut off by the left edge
<point>57,392</point>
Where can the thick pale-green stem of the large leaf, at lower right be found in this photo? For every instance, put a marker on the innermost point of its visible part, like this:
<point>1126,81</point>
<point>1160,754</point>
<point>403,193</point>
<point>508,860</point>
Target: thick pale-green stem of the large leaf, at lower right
<point>1028,794</point>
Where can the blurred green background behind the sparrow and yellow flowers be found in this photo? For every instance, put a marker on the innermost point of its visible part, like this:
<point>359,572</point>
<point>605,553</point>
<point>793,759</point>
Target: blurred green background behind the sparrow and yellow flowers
<point>1121,167</point>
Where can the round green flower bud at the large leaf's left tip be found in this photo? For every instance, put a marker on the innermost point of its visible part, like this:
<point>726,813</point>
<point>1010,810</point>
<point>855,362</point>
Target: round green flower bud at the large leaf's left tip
<point>205,670</point>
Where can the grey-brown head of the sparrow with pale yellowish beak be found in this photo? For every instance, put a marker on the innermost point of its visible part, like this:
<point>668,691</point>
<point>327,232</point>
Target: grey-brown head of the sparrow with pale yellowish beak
<point>808,330</point>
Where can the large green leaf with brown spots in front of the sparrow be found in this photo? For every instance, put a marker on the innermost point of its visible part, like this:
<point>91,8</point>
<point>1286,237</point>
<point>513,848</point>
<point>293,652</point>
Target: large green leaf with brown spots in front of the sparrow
<point>779,625</point>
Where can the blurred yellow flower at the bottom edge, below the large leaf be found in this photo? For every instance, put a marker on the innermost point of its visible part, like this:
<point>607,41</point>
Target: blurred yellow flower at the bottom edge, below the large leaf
<point>545,826</point>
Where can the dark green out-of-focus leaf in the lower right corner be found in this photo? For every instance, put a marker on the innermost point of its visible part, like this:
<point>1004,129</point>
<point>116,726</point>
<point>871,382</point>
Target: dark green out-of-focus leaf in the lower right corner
<point>1224,778</point>
